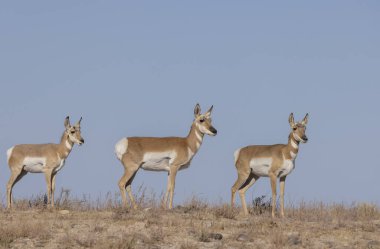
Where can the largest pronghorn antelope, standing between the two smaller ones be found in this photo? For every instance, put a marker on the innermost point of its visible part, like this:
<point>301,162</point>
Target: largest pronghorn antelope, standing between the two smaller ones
<point>161,154</point>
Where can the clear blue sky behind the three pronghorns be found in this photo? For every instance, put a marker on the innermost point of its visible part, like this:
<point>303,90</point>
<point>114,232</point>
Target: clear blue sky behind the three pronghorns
<point>138,69</point>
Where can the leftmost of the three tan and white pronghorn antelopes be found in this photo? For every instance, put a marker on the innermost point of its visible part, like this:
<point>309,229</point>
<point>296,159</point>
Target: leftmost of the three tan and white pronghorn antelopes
<point>42,158</point>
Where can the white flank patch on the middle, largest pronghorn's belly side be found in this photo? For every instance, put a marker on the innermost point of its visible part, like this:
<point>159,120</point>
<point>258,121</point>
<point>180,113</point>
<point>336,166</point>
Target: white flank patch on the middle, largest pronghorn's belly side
<point>158,161</point>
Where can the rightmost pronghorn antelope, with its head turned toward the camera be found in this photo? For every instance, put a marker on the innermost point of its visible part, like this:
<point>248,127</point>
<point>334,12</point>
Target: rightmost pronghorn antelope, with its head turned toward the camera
<point>273,161</point>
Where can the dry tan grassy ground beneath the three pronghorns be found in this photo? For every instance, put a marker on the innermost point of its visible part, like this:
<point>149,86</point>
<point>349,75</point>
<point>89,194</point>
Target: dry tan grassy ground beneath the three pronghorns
<point>103,223</point>
